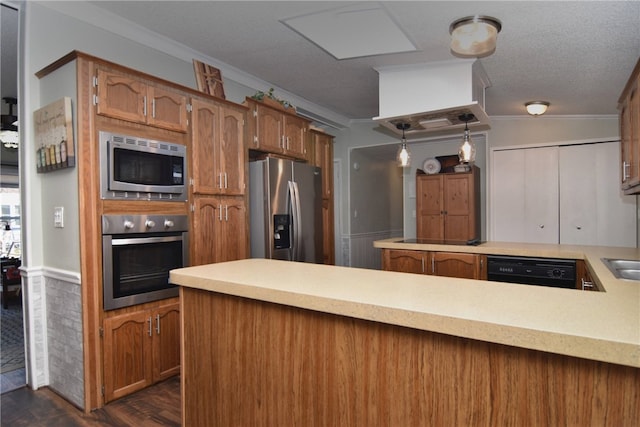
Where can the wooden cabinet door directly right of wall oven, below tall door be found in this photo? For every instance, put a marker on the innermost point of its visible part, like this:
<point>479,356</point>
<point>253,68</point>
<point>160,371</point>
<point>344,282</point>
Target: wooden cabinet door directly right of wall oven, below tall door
<point>204,237</point>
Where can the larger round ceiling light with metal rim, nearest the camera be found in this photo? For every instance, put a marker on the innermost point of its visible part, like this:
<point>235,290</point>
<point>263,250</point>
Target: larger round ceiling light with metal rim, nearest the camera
<point>474,36</point>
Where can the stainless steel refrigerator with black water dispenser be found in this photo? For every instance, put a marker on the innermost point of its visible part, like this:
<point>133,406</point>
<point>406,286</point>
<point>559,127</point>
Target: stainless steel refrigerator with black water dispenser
<point>285,205</point>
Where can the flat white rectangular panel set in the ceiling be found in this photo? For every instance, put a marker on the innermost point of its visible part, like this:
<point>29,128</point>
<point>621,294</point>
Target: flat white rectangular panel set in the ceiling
<point>352,32</point>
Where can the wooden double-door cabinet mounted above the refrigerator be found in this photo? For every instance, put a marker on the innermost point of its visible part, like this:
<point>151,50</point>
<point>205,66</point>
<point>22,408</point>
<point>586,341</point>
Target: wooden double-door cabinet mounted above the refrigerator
<point>274,130</point>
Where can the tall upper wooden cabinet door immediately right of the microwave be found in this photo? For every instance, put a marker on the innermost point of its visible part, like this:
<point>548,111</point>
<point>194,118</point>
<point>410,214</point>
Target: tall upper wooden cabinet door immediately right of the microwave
<point>205,120</point>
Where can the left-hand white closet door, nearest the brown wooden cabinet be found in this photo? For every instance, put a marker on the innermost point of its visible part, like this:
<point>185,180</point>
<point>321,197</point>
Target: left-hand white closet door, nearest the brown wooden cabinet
<point>525,195</point>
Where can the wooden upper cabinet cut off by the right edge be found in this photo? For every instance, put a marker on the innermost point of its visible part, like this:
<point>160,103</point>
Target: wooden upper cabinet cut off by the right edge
<point>629,106</point>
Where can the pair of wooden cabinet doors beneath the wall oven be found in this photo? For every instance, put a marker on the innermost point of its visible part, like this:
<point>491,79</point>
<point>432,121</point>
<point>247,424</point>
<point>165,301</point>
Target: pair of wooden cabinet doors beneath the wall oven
<point>140,349</point>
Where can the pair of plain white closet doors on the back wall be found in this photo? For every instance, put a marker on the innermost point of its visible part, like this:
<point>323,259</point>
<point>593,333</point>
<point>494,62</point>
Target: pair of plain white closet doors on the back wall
<point>567,194</point>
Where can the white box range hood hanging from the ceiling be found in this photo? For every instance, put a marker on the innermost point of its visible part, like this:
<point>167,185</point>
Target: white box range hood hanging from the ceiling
<point>432,96</point>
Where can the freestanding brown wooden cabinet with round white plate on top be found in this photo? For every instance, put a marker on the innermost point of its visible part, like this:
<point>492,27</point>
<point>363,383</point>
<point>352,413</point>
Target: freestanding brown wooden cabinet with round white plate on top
<point>448,206</point>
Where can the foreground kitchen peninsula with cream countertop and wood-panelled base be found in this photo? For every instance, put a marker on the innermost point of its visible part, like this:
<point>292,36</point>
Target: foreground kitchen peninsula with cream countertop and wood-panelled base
<point>281,343</point>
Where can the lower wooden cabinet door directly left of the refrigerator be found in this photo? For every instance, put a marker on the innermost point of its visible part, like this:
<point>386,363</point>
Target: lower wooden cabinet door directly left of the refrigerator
<point>232,233</point>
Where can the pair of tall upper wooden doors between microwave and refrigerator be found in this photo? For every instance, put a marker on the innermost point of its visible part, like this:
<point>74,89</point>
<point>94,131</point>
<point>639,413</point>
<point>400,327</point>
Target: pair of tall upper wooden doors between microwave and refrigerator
<point>218,155</point>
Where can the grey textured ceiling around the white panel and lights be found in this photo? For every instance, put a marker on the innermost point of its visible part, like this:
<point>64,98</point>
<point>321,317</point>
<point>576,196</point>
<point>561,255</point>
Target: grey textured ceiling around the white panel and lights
<point>576,55</point>
